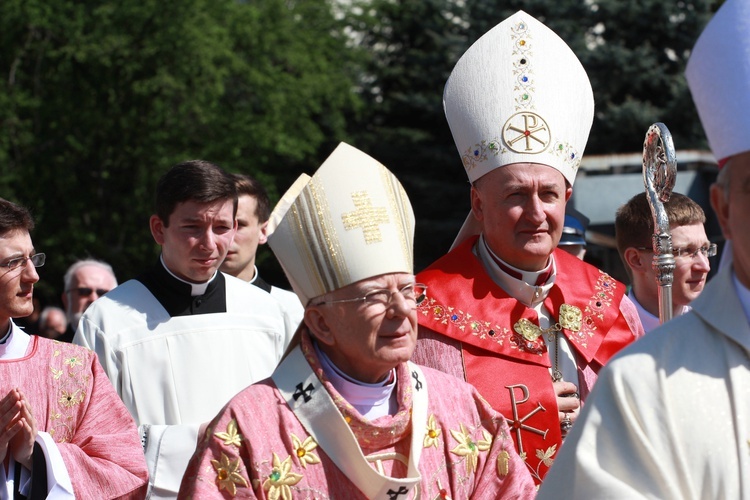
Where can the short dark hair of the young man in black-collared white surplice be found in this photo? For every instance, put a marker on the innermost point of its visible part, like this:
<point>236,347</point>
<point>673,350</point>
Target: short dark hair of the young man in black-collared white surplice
<point>195,180</point>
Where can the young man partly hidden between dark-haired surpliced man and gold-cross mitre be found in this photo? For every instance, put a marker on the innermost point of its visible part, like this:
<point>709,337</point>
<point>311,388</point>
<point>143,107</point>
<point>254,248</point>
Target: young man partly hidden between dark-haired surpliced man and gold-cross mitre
<point>253,211</point>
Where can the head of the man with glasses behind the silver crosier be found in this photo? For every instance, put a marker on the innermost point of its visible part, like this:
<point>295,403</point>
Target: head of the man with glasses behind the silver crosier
<point>634,227</point>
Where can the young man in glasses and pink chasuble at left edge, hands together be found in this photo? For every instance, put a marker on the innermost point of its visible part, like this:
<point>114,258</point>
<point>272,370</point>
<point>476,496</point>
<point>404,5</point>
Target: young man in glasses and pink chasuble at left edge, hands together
<point>64,433</point>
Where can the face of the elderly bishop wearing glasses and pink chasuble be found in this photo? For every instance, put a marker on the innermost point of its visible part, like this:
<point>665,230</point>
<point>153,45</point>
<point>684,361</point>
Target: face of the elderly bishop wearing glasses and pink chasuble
<point>367,338</point>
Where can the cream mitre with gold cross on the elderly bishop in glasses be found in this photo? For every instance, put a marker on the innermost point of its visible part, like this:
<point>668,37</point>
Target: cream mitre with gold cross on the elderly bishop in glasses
<point>350,221</point>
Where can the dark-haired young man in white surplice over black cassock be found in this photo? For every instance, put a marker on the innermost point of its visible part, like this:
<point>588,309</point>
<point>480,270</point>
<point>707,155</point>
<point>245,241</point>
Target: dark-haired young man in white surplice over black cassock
<point>182,338</point>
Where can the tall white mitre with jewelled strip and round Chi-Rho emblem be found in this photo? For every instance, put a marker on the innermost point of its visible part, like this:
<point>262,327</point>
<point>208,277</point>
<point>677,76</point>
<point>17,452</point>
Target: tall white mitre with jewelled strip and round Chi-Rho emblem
<point>518,95</point>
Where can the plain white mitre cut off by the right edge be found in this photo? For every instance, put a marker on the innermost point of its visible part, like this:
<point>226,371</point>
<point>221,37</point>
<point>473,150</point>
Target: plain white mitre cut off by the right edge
<point>718,74</point>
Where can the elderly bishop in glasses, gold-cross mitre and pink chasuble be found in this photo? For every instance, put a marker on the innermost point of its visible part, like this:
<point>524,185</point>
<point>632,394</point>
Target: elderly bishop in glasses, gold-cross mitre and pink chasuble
<point>346,415</point>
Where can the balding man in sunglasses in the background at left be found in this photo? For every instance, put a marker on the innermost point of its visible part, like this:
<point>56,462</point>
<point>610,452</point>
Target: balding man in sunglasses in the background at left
<point>85,281</point>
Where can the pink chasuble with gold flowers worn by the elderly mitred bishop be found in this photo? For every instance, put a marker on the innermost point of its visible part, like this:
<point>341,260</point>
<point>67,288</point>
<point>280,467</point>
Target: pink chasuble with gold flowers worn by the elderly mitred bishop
<point>257,447</point>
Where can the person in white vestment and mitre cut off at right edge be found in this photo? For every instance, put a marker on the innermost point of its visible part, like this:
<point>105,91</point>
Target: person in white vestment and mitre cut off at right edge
<point>670,415</point>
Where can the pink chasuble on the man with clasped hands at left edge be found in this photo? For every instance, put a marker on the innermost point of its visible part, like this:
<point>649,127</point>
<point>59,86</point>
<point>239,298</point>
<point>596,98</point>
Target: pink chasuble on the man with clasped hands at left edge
<point>74,402</point>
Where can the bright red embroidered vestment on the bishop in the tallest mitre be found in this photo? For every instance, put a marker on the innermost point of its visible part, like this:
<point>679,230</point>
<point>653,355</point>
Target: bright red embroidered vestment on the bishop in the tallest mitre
<point>503,352</point>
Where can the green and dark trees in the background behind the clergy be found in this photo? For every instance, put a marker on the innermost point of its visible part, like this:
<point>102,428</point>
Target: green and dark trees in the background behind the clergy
<point>99,98</point>
